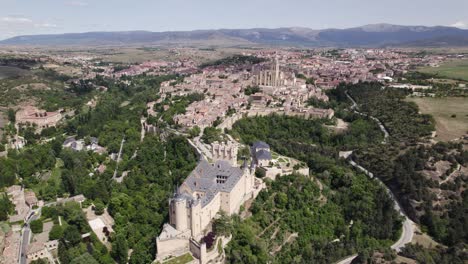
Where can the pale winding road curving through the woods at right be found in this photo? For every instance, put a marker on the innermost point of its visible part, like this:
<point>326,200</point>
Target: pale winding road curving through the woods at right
<point>408,225</point>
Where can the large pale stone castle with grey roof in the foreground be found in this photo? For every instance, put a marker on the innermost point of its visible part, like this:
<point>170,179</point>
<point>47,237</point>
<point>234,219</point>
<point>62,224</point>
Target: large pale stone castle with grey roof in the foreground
<point>209,189</point>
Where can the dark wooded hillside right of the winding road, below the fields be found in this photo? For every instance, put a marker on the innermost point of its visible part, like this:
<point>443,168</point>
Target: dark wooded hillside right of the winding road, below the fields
<point>401,161</point>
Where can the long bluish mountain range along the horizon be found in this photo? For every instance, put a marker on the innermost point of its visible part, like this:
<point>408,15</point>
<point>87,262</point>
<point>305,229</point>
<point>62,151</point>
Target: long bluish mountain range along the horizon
<point>376,35</point>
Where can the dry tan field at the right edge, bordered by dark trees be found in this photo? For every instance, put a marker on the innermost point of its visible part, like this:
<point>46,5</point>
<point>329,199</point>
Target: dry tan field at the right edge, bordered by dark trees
<point>442,109</point>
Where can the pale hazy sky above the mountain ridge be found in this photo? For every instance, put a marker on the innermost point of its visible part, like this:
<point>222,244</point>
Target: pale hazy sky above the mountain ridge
<point>29,17</point>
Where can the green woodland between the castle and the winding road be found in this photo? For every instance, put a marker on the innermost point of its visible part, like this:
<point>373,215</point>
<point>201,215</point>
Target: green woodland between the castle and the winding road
<point>351,217</point>
